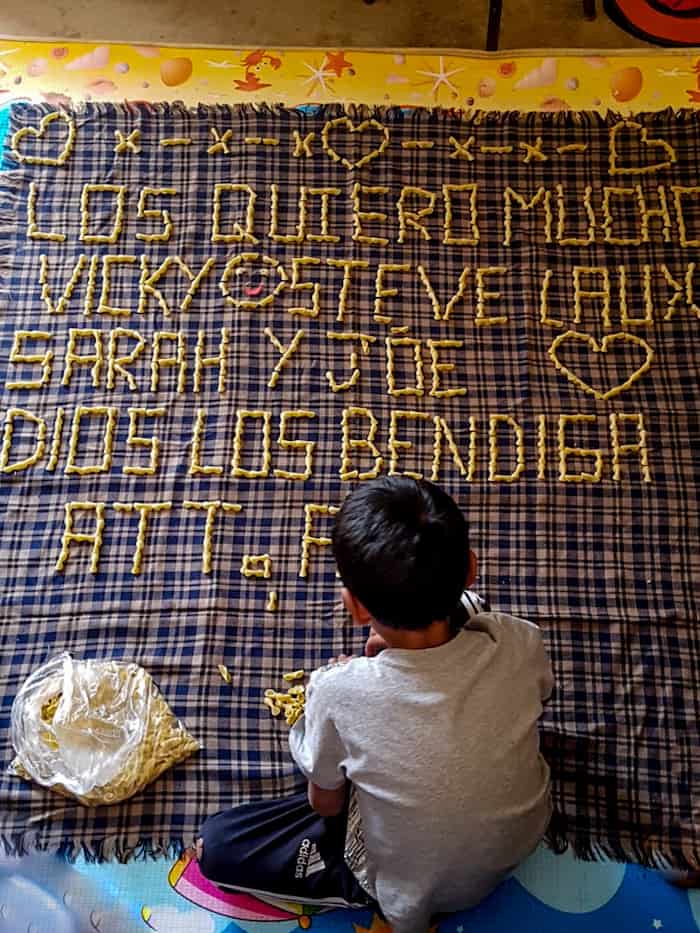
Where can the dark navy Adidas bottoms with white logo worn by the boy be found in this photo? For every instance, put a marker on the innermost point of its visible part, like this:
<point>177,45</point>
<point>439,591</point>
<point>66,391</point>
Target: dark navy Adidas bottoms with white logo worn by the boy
<point>283,849</point>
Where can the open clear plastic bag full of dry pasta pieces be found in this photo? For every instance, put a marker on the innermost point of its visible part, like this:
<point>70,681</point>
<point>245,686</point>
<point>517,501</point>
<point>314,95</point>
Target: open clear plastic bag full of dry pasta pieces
<point>99,731</point>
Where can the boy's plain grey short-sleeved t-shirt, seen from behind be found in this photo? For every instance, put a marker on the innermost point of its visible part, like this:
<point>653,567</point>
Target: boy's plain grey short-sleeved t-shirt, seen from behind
<point>442,748</point>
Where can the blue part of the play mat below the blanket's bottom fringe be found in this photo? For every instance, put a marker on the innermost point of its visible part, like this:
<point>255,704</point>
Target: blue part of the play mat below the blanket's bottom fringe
<point>549,894</point>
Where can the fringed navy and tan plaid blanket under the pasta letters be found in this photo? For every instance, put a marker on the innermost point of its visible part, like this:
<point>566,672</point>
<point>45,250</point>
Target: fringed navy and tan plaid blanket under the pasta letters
<point>505,303</point>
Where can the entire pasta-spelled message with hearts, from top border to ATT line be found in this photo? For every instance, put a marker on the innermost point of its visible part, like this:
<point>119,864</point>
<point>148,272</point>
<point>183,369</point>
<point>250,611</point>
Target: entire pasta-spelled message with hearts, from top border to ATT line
<point>332,304</point>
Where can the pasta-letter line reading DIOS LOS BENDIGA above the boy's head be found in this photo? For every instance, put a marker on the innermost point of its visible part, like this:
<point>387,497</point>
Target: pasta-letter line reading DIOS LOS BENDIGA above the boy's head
<point>496,448</point>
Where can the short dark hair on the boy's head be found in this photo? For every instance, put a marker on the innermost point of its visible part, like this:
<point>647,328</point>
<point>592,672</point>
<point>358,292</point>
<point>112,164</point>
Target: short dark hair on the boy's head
<point>402,549</point>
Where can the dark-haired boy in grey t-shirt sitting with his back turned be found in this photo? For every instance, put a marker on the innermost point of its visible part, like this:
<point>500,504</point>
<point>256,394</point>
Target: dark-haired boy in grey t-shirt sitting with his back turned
<point>426,785</point>
